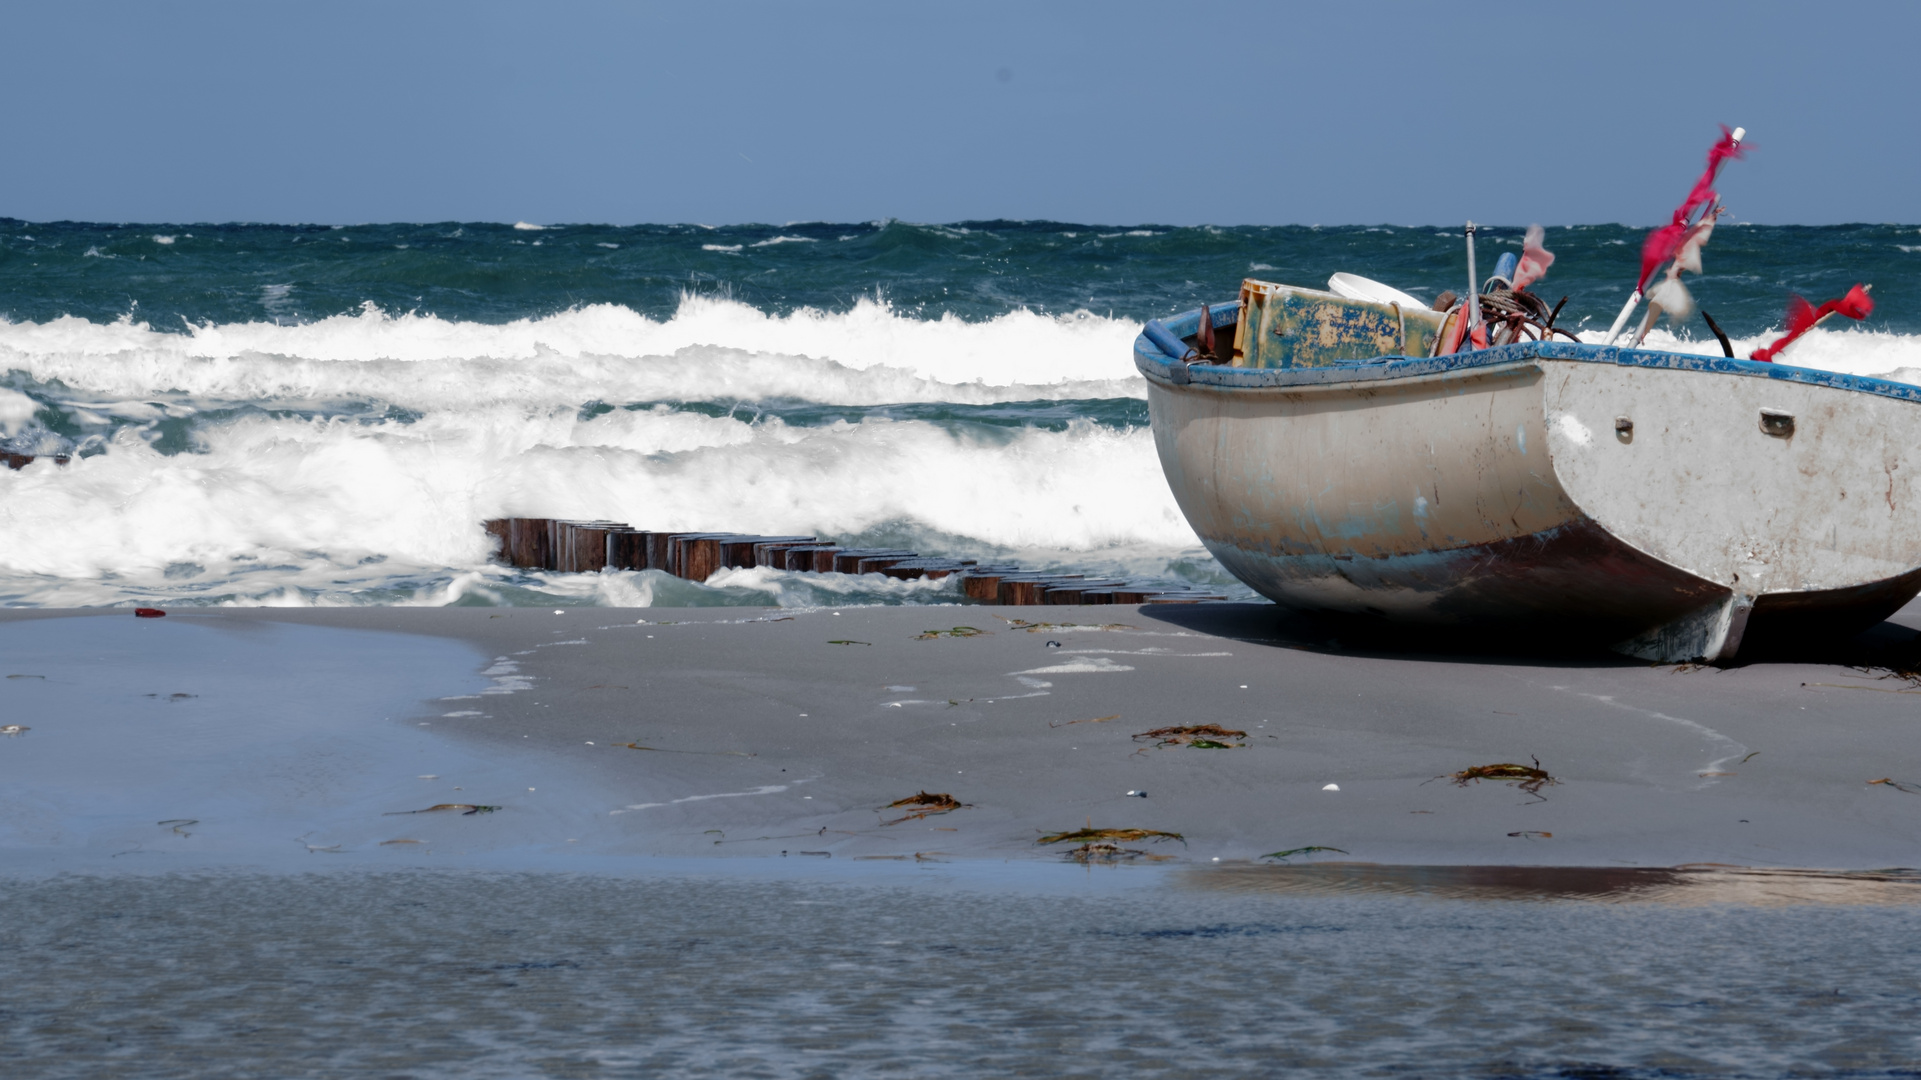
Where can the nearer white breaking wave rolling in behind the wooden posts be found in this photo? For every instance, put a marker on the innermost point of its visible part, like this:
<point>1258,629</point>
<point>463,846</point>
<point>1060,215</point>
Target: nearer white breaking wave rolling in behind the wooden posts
<point>291,510</point>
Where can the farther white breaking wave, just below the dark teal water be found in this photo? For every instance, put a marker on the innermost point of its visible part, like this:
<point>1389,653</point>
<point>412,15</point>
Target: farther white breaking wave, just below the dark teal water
<point>264,360</point>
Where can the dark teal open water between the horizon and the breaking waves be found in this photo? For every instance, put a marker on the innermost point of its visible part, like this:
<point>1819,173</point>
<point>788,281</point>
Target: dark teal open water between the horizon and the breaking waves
<point>975,270</point>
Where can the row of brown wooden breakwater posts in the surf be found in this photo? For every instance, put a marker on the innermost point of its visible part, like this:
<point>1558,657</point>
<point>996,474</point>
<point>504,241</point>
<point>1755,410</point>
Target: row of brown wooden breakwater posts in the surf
<point>591,547</point>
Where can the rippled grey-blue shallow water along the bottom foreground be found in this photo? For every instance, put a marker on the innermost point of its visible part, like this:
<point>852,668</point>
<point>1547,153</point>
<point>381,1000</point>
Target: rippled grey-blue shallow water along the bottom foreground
<point>921,973</point>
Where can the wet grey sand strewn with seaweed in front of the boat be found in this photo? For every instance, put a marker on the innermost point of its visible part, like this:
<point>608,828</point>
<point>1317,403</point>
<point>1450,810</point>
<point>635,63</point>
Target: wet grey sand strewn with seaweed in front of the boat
<point>779,731</point>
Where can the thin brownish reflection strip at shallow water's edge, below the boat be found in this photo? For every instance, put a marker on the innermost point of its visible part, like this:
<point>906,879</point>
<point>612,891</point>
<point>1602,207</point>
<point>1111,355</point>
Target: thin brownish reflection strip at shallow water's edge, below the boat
<point>1690,885</point>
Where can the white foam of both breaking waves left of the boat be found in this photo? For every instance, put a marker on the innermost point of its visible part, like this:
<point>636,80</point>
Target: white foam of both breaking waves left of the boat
<point>314,495</point>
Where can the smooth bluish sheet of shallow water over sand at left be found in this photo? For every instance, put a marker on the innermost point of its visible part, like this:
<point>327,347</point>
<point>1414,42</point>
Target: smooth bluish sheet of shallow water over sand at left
<point>180,743</point>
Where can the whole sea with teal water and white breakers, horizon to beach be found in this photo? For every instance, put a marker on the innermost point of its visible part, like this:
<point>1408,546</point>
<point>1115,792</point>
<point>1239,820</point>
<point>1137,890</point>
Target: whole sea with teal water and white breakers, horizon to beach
<point>324,416</point>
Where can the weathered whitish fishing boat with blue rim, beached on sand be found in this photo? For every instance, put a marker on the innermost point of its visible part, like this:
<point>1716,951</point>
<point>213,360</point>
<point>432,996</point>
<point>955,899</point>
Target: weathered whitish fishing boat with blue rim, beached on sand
<point>1672,506</point>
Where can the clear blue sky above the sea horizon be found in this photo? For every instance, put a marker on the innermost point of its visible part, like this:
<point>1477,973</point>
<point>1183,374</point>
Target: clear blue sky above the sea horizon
<point>1098,112</point>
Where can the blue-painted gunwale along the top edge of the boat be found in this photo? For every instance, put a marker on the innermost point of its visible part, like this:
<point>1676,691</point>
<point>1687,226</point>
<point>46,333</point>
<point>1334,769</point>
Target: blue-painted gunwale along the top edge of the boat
<point>1159,366</point>
